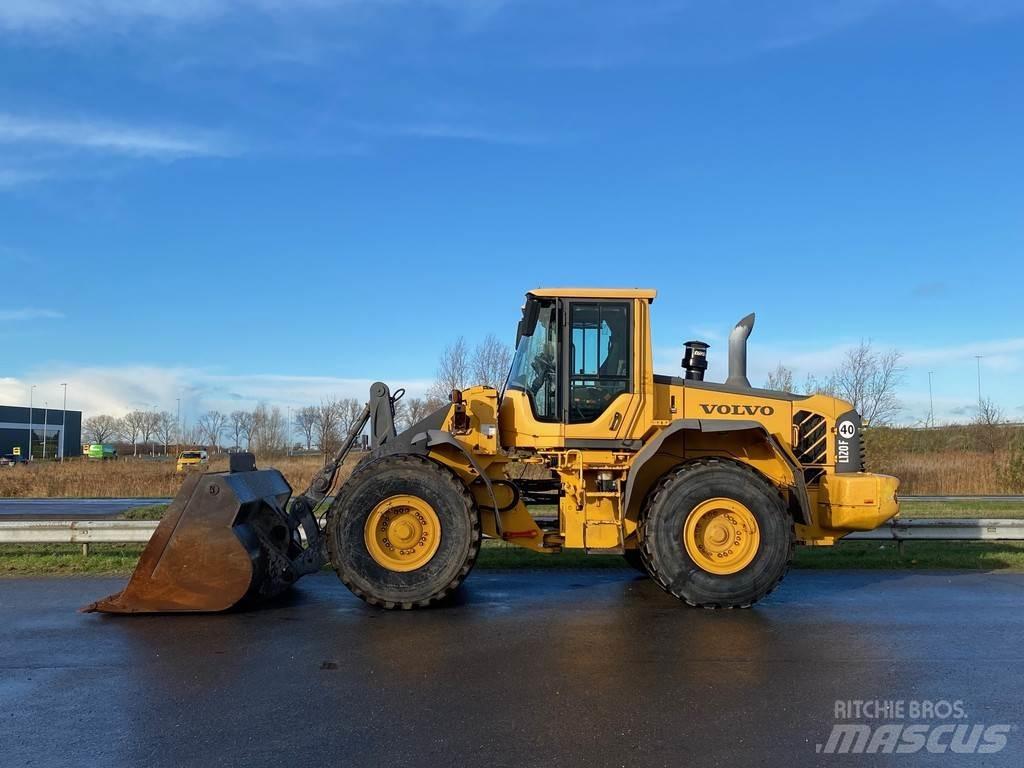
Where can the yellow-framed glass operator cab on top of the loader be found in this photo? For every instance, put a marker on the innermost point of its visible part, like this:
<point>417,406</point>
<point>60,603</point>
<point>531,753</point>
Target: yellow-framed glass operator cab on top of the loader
<point>578,357</point>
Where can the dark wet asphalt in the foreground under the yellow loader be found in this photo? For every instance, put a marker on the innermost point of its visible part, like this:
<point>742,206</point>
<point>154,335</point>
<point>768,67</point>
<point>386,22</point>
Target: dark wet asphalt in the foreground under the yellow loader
<point>527,669</point>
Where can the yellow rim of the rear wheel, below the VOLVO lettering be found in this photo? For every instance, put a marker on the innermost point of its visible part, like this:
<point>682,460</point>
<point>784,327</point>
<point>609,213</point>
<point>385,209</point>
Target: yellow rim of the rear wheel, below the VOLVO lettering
<point>721,536</point>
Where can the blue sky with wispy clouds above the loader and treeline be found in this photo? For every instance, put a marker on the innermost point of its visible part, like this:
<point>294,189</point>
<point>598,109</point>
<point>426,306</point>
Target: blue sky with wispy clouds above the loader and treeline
<point>228,202</point>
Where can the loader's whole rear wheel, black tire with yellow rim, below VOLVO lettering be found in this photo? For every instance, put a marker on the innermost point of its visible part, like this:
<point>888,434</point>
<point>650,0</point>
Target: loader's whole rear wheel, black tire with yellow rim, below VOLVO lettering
<point>756,554</point>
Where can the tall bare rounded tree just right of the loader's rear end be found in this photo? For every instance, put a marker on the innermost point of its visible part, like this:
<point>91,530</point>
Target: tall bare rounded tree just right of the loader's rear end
<point>869,380</point>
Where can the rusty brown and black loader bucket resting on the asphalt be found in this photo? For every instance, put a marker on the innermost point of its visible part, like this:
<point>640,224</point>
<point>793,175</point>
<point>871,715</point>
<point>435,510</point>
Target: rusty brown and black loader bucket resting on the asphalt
<point>228,537</point>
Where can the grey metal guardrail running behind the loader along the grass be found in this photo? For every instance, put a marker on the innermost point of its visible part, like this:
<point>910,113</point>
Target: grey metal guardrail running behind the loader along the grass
<point>140,532</point>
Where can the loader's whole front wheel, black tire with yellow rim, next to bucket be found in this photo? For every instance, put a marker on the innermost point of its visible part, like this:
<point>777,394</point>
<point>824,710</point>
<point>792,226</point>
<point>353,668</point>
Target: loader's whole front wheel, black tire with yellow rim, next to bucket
<point>442,552</point>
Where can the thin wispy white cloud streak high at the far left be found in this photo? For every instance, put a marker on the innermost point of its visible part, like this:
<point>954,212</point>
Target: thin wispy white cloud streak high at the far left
<point>110,138</point>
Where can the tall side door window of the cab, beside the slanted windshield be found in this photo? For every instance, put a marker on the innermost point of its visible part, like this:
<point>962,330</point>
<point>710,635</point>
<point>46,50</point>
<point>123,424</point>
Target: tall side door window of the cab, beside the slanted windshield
<point>601,358</point>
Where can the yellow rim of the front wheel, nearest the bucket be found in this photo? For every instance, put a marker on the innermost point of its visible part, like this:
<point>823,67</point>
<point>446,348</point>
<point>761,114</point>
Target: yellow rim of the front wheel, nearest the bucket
<point>403,533</point>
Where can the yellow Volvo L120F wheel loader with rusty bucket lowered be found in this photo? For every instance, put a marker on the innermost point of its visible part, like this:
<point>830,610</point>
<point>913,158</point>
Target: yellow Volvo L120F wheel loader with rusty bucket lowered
<point>706,487</point>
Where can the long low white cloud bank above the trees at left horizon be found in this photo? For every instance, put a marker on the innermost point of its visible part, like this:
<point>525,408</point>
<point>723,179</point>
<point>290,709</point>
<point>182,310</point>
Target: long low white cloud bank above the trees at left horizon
<point>116,391</point>
